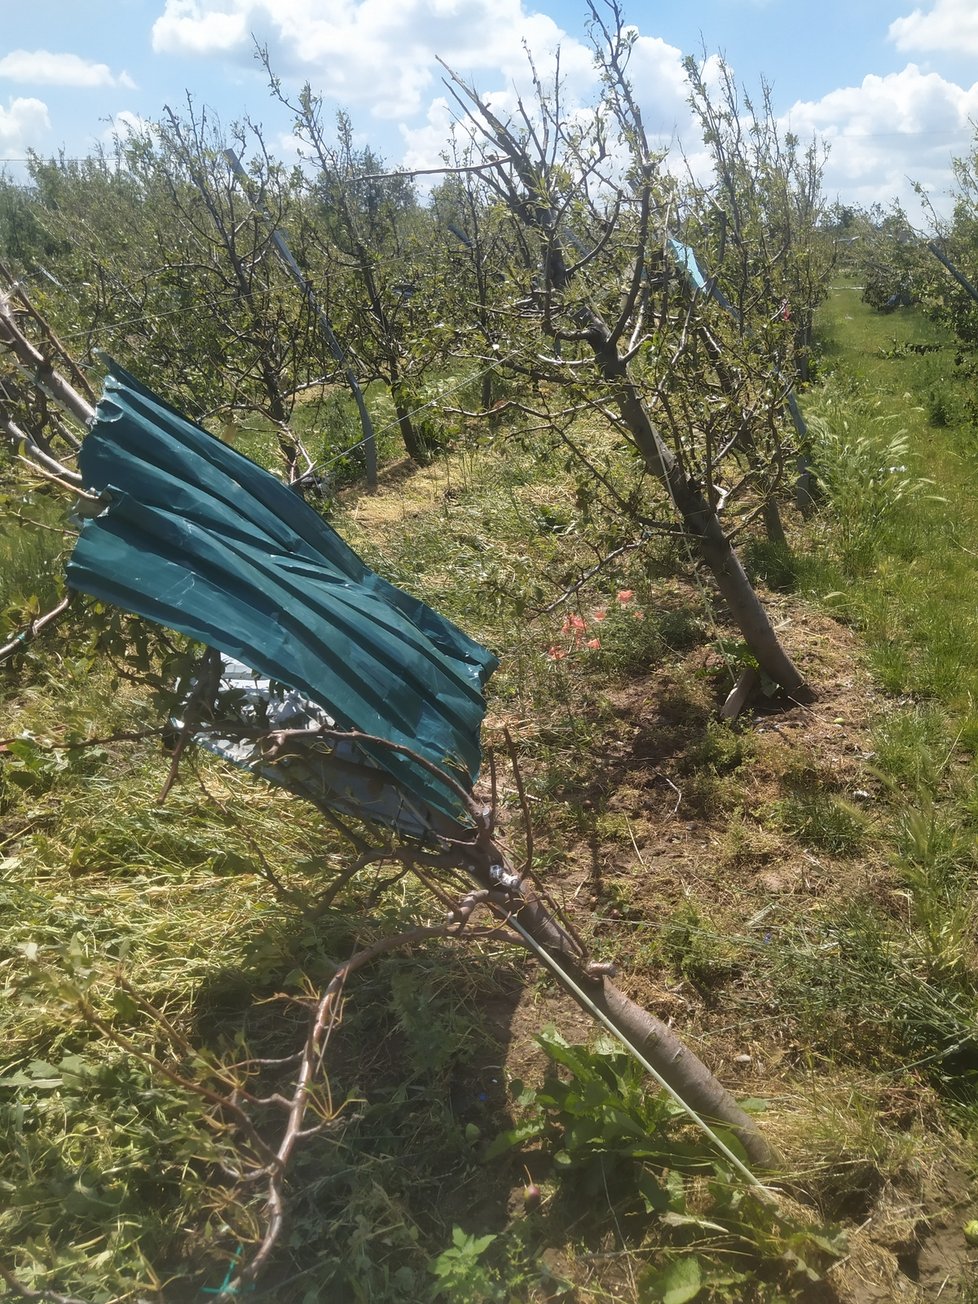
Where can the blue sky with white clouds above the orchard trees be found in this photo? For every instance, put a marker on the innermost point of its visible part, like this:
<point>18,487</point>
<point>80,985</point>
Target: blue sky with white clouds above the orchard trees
<point>893,85</point>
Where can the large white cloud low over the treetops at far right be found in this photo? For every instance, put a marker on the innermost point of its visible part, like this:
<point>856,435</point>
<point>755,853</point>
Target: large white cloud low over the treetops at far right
<point>890,132</point>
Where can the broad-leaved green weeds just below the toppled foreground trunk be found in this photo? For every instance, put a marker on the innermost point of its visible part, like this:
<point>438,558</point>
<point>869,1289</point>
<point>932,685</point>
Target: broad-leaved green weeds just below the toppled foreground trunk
<point>620,1148</point>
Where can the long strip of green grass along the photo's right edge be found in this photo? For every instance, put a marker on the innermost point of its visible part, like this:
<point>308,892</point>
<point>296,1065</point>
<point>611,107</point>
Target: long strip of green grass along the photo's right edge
<point>896,560</point>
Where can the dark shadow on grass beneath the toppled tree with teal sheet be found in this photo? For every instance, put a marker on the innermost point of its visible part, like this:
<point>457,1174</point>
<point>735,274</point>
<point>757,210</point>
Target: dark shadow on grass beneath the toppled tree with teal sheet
<point>417,1084</point>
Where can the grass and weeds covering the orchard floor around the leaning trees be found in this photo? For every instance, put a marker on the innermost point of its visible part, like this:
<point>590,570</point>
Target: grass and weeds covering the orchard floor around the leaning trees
<point>856,988</point>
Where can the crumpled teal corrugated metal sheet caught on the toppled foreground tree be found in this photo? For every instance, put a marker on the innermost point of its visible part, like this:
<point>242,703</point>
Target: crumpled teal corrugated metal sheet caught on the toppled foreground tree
<point>203,541</point>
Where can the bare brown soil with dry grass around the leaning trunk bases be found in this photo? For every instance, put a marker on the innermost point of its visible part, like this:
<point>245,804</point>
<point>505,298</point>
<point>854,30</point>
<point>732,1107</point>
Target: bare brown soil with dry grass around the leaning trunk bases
<point>657,842</point>
